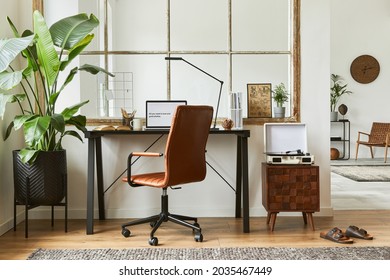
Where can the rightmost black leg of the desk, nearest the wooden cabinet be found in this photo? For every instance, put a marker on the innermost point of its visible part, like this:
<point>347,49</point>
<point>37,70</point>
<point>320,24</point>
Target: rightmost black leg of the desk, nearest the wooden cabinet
<point>245,183</point>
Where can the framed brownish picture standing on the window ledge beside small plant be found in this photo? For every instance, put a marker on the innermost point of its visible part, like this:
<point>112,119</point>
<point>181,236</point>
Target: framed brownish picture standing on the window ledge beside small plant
<point>259,100</point>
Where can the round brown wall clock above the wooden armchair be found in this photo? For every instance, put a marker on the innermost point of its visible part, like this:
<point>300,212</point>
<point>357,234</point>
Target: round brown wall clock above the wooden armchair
<point>365,69</point>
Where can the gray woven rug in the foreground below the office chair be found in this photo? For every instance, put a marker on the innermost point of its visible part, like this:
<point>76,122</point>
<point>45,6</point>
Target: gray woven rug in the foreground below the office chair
<point>250,253</point>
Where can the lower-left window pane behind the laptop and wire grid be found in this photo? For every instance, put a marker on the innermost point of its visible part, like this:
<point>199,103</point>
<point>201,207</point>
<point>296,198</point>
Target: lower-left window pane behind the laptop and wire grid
<point>142,68</point>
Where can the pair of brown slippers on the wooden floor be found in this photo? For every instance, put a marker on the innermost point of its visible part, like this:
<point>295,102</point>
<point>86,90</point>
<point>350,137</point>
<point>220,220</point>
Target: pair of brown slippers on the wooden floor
<point>338,236</point>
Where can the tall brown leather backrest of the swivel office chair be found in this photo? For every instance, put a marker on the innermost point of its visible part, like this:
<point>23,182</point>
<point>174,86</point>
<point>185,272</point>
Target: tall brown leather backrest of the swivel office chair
<point>185,159</point>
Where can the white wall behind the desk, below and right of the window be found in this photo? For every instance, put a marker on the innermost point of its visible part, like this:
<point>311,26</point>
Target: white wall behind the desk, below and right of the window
<point>213,197</point>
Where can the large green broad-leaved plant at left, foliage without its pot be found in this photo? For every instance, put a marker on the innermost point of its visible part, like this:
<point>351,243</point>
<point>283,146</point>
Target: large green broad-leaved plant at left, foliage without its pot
<point>46,54</point>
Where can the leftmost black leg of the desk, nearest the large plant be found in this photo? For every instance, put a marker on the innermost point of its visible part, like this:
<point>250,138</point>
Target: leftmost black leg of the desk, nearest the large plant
<point>90,185</point>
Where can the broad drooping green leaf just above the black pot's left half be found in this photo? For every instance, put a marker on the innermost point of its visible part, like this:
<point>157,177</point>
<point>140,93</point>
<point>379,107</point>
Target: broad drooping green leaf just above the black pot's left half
<point>35,129</point>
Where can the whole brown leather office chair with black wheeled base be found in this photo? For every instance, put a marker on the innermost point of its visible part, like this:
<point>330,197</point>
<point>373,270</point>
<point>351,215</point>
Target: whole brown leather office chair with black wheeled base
<point>185,162</point>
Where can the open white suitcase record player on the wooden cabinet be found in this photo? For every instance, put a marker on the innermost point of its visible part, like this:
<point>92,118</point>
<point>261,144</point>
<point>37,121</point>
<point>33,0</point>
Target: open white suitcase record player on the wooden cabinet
<point>286,144</point>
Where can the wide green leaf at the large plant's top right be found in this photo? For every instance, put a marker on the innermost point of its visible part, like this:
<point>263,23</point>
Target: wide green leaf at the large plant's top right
<point>67,32</point>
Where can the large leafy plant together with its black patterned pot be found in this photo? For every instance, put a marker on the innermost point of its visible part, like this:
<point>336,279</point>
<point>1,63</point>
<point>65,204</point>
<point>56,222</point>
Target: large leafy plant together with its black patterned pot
<point>46,54</point>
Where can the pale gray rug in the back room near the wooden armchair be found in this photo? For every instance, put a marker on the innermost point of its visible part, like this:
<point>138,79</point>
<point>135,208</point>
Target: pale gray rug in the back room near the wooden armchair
<point>363,173</point>
